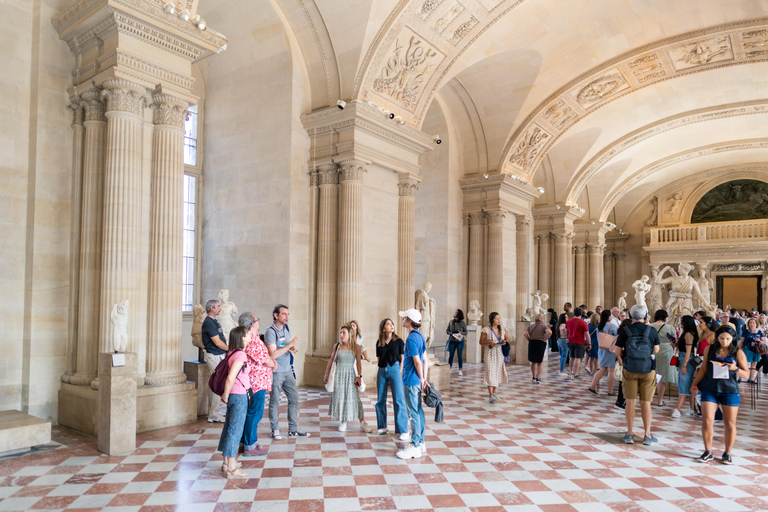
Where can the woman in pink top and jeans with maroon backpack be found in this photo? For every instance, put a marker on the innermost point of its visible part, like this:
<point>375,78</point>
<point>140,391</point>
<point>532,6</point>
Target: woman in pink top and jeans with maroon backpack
<point>236,397</point>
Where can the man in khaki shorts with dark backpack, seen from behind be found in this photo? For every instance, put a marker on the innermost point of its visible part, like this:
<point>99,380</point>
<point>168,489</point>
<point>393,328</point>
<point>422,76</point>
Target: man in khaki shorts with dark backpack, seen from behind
<point>635,348</point>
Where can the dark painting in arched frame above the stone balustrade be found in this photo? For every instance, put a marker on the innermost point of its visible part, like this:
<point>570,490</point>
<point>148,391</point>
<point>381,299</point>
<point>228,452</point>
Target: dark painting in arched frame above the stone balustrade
<point>732,201</point>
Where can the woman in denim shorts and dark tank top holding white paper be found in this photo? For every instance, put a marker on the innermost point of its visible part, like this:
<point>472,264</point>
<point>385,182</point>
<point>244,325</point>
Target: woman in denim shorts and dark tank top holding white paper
<point>717,378</point>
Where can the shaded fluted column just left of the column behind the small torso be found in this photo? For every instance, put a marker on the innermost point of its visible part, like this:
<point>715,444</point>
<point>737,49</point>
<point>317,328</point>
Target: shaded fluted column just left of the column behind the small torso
<point>89,289</point>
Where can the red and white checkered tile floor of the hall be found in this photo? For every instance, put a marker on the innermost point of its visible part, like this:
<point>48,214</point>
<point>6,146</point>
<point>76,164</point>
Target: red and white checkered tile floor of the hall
<point>549,447</point>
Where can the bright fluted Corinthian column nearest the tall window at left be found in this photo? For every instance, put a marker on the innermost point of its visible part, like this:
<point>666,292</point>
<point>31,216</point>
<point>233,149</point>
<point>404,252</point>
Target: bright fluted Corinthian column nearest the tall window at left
<point>165,246</point>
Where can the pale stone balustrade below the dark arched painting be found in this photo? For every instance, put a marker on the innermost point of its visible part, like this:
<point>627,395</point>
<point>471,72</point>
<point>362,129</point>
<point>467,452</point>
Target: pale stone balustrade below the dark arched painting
<point>714,233</point>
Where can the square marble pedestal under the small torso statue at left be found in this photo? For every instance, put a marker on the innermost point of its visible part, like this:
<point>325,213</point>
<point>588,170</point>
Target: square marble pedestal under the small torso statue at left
<point>117,404</point>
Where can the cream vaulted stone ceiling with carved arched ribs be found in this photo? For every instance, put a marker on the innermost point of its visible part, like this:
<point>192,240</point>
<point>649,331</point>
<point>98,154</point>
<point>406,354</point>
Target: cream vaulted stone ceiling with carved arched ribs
<point>599,102</point>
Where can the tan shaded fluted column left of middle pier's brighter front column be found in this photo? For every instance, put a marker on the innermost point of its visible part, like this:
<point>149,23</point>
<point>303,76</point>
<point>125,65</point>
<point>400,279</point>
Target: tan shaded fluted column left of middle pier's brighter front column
<point>327,244</point>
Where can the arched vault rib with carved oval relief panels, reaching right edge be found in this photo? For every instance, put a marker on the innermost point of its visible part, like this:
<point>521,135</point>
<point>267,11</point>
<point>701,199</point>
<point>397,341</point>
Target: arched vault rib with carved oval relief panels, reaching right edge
<point>702,50</point>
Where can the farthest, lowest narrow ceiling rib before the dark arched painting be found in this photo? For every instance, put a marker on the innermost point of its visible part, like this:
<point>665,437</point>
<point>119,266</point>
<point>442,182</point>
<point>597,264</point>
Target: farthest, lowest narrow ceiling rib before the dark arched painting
<point>617,192</point>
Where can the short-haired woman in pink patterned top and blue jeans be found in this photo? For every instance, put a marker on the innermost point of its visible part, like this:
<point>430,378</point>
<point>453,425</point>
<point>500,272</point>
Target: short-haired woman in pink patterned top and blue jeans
<point>260,368</point>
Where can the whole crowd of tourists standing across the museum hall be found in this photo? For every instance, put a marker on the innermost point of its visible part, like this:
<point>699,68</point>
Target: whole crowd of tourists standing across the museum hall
<point>705,358</point>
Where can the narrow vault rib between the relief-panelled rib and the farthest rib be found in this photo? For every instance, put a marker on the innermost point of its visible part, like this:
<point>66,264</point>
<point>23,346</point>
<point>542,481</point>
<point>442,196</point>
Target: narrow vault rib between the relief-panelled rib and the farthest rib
<point>611,151</point>
